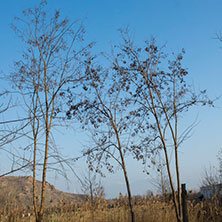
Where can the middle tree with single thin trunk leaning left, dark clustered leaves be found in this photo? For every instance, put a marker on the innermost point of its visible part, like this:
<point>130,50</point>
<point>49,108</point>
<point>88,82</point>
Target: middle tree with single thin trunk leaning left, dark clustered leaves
<point>105,113</point>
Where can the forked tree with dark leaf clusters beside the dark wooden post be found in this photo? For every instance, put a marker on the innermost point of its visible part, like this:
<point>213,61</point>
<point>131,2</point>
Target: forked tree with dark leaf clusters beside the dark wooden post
<point>163,96</point>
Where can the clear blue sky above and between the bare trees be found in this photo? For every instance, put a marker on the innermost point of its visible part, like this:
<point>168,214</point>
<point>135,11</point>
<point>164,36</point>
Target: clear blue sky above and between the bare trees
<point>189,24</point>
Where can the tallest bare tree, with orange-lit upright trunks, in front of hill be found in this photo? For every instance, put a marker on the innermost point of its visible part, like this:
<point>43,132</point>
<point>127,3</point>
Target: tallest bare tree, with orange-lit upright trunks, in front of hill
<point>50,68</point>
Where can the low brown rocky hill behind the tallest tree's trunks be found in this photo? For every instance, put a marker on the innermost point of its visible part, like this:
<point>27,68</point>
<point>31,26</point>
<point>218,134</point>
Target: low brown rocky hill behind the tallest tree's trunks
<point>17,190</point>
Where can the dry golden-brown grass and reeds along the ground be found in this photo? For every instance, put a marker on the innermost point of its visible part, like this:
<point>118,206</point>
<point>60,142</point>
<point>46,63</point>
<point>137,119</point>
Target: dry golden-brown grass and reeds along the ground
<point>152,210</point>
